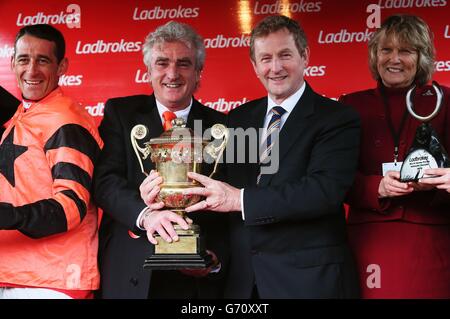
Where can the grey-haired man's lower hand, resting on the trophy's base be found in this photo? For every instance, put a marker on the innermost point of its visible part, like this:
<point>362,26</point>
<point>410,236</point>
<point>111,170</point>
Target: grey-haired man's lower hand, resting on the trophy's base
<point>161,222</point>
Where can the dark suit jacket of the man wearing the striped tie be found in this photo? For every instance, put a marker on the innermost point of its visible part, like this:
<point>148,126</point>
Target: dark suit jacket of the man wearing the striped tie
<point>293,241</point>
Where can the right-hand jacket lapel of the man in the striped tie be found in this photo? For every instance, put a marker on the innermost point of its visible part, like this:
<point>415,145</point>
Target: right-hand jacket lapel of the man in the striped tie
<point>293,127</point>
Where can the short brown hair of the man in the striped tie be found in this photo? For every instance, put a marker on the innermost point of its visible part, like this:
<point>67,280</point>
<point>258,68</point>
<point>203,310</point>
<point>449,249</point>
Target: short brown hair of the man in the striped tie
<point>272,24</point>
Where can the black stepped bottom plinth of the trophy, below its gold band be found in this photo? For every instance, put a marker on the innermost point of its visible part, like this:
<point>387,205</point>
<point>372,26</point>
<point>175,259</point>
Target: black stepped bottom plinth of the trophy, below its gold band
<point>177,261</point>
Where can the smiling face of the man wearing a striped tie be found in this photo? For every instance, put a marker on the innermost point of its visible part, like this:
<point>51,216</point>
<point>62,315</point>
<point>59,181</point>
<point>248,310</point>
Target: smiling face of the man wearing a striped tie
<point>279,65</point>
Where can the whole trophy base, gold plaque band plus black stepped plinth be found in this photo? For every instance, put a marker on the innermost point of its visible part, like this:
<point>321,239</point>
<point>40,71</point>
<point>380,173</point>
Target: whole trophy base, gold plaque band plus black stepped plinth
<point>188,252</point>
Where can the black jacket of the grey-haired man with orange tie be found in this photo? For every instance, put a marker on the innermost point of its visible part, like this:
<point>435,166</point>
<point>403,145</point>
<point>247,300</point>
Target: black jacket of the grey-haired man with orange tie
<point>117,178</point>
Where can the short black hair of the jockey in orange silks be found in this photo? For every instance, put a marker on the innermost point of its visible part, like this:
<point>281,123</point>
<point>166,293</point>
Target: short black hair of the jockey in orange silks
<point>46,32</point>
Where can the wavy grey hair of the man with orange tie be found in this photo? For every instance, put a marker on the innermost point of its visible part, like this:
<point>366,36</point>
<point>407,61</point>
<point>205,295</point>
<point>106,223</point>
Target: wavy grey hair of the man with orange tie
<point>175,32</point>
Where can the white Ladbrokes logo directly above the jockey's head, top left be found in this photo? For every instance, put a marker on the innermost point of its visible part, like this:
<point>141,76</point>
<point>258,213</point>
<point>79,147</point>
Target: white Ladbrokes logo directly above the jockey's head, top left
<point>71,17</point>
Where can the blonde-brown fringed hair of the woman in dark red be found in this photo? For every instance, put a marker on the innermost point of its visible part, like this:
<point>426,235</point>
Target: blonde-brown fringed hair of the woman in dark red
<point>410,30</point>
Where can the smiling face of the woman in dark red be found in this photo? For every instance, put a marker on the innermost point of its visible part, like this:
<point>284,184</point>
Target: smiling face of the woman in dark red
<point>396,63</point>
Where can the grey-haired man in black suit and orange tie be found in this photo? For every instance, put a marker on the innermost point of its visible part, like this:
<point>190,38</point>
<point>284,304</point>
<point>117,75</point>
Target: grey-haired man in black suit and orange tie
<point>174,55</point>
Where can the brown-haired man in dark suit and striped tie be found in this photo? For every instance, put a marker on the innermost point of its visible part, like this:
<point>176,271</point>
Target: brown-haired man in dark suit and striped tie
<point>288,237</point>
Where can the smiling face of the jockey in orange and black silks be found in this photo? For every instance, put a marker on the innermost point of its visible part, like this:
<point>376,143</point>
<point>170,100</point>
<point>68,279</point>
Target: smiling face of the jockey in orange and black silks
<point>36,67</point>
